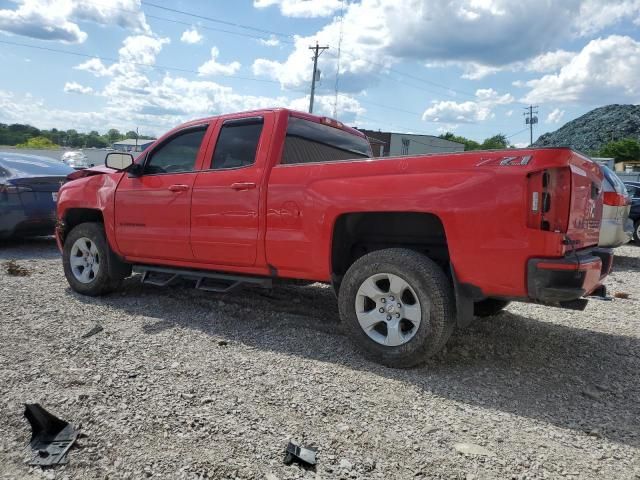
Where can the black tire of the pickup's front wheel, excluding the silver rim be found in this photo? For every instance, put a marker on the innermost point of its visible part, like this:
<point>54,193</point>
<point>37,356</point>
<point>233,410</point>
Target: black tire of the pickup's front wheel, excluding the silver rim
<point>103,282</point>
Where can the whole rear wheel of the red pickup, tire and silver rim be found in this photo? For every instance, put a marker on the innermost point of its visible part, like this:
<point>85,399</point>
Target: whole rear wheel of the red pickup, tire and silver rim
<point>398,306</point>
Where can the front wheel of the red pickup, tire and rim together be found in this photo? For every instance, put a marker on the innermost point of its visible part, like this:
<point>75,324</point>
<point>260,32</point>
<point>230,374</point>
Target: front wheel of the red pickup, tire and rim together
<point>85,259</point>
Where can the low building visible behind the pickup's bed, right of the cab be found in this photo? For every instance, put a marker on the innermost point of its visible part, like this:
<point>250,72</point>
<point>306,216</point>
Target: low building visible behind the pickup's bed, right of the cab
<point>388,144</point>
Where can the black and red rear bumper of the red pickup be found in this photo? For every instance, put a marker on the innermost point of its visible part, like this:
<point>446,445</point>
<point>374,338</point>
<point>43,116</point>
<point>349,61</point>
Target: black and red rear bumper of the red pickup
<point>569,278</point>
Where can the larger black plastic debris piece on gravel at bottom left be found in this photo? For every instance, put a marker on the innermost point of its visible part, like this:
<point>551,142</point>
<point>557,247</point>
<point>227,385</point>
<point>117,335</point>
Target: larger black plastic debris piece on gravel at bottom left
<point>51,438</point>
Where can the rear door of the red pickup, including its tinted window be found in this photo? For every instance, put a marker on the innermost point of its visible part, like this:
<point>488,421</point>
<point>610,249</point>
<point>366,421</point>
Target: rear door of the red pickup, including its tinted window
<point>225,212</point>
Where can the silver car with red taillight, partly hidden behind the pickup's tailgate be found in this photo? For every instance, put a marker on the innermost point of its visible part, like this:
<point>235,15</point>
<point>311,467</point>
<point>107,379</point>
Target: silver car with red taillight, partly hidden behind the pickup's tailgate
<point>616,228</point>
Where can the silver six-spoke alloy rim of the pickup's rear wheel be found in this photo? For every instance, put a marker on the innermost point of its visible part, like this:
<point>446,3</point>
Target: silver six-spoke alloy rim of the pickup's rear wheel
<point>388,309</point>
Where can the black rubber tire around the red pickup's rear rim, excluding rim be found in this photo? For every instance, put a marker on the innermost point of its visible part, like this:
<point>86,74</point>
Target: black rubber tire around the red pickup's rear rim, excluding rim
<point>431,286</point>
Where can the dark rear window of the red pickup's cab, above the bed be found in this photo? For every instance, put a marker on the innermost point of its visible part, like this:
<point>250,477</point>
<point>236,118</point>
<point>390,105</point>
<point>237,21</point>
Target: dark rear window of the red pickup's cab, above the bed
<point>311,142</point>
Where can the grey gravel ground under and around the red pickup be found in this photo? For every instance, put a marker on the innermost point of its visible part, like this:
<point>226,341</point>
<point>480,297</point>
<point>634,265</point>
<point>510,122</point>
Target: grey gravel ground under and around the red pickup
<point>188,384</point>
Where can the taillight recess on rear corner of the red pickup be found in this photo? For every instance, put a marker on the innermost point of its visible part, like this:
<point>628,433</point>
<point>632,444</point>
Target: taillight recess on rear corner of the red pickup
<point>549,194</point>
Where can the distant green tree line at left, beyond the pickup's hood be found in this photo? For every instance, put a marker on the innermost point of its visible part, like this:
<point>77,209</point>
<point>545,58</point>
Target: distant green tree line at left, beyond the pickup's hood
<point>32,137</point>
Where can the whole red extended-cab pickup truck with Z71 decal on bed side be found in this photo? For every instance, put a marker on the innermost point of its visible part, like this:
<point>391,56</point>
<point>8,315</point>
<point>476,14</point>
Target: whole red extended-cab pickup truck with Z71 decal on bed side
<point>412,245</point>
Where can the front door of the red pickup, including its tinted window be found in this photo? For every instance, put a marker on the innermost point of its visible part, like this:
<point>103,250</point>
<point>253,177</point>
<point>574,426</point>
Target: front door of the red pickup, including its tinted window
<point>152,211</point>
